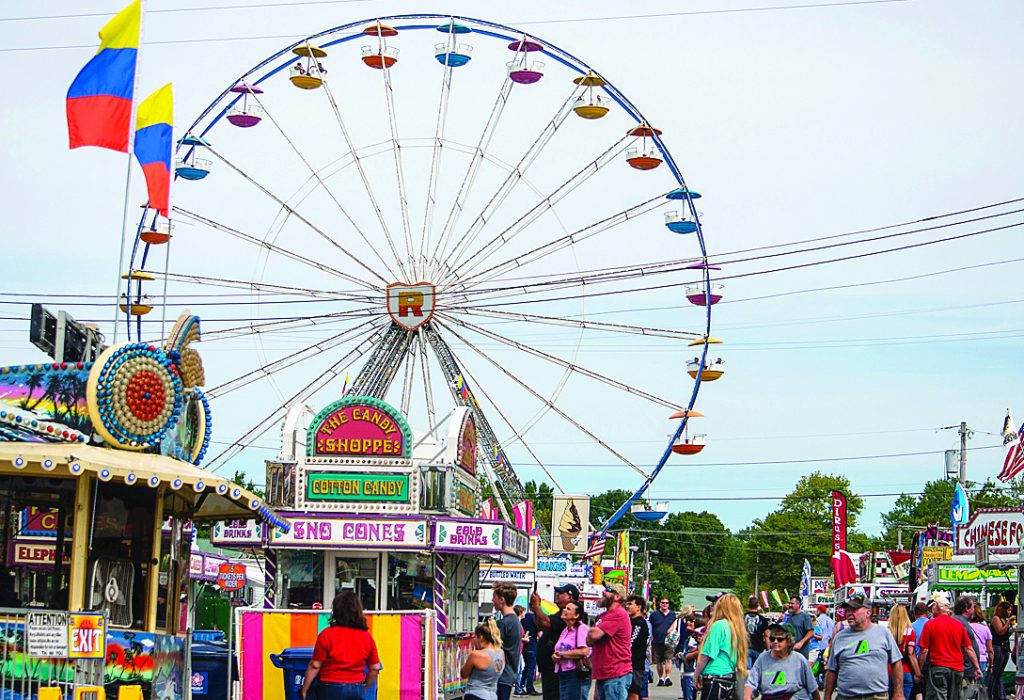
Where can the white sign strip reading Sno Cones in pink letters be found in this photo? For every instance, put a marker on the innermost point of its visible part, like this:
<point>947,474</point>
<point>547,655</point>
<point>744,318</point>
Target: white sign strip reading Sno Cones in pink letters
<point>363,533</point>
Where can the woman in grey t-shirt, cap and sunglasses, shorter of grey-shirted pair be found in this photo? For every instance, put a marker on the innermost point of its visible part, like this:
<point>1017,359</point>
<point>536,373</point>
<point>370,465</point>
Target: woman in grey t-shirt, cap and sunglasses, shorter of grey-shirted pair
<point>779,674</point>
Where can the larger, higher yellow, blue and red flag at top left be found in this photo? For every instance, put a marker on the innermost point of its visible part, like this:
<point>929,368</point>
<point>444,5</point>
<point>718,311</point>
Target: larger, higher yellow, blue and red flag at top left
<point>101,99</point>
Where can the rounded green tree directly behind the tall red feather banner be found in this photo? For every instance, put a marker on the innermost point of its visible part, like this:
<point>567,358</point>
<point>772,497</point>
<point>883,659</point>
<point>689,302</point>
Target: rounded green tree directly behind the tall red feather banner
<point>779,544</point>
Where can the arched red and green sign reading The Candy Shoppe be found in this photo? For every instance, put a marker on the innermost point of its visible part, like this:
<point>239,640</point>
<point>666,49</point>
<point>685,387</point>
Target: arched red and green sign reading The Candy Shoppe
<point>360,426</point>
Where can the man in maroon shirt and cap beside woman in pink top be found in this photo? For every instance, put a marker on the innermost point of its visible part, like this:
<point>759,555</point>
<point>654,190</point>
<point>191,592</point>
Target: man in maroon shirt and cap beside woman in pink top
<point>610,637</point>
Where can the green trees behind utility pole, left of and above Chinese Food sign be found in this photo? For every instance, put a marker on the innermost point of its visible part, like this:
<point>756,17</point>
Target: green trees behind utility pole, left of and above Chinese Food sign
<point>932,505</point>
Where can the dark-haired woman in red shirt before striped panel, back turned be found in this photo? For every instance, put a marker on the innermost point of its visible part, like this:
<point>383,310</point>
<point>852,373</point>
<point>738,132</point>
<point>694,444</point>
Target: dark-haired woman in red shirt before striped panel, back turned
<point>346,657</point>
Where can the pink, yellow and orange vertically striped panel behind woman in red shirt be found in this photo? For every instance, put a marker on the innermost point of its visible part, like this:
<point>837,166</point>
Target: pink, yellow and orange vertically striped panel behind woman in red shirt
<point>266,635</point>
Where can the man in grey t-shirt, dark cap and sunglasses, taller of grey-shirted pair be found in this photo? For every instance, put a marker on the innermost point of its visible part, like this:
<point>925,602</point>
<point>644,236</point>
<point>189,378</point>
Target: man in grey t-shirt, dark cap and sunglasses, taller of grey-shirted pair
<point>864,659</point>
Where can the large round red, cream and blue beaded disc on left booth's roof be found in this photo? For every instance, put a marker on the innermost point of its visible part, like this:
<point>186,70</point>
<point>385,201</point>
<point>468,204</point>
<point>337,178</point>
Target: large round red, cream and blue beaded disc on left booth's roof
<point>136,398</point>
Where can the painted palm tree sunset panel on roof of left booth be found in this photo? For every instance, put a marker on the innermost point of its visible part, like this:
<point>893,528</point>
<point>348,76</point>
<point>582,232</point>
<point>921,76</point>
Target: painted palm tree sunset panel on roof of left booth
<point>45,403</point>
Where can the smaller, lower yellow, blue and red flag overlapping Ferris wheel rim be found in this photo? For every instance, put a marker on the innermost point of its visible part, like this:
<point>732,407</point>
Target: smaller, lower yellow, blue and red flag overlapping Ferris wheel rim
<point>153,146</point>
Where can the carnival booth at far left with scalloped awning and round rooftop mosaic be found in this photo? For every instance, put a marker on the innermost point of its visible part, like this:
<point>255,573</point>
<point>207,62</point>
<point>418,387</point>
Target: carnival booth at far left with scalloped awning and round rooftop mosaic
<point>102,456</point>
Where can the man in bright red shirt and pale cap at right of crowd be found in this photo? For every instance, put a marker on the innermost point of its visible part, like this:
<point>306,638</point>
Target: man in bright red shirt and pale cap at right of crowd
<point>945,644</point>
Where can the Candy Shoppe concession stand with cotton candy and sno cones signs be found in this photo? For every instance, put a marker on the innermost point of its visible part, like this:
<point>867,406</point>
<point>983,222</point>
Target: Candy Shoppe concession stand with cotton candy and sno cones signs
<point>395,518</point>
